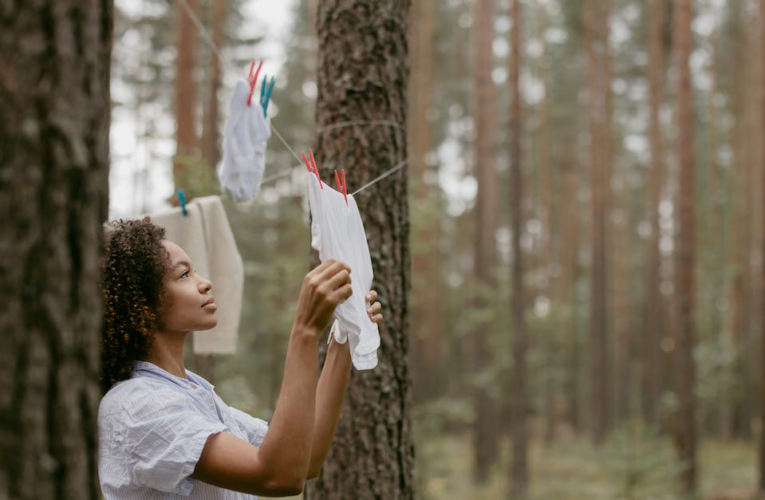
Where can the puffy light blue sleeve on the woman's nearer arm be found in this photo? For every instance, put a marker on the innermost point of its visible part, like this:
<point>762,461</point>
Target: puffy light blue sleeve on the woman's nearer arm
<point>164,438</point>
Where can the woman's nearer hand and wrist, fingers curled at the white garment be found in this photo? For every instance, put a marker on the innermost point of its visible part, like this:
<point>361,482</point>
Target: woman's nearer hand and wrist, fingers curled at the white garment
<point>324,288</point>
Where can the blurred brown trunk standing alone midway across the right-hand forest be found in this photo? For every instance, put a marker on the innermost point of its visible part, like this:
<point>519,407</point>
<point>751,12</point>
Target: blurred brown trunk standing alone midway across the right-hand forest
<point>597,104</point>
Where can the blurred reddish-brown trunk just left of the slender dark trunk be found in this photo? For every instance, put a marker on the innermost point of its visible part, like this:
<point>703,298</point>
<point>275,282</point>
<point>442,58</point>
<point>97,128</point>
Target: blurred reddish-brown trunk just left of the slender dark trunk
<point>486,418</point>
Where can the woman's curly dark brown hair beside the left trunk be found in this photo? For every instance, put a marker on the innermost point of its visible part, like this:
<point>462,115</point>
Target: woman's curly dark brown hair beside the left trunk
<point>134,268</point>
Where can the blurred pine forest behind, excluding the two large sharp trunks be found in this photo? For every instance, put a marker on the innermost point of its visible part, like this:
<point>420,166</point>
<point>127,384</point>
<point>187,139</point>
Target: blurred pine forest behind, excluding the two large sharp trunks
<point>601,185</point>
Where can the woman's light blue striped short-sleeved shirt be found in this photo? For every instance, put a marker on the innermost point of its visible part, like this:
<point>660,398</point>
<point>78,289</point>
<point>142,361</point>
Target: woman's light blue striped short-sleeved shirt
<point>152,429</point>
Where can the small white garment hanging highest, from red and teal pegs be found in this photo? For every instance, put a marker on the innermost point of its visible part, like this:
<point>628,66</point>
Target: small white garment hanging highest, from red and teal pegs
<point>244,146</point>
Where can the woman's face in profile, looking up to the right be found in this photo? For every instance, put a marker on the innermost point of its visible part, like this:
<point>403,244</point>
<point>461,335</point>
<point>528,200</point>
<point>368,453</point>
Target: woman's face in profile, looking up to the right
<point>189,302</point>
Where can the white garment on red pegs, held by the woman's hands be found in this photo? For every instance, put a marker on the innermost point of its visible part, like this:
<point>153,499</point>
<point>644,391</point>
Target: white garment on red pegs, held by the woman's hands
<point>337,232</point>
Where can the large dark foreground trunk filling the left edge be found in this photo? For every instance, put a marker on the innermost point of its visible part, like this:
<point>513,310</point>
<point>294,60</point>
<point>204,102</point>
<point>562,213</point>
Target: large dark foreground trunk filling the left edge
<point>54,132</point>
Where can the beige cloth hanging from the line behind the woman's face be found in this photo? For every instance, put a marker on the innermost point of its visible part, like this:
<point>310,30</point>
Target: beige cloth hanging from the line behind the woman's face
<point>206,236</point>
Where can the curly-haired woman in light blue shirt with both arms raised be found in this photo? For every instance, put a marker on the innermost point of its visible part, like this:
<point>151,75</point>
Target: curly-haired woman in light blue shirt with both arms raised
<point>163,431</point>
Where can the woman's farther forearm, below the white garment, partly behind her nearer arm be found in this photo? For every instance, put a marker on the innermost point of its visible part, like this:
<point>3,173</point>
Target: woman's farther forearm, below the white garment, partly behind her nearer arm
<point>329,401</point>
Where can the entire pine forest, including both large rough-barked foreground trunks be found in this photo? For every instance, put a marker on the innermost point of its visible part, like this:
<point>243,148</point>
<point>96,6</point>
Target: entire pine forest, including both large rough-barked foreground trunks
<point>572,263</point>
